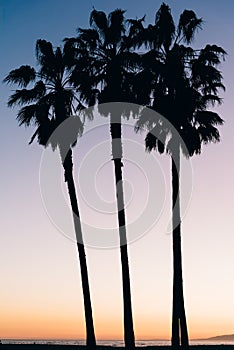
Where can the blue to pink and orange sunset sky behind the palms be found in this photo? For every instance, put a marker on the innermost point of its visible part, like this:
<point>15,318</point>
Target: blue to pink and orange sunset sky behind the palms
<point>41,295</point>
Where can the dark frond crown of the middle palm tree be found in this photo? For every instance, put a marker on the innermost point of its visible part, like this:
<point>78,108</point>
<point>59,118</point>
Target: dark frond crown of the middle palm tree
<point>108,62</point>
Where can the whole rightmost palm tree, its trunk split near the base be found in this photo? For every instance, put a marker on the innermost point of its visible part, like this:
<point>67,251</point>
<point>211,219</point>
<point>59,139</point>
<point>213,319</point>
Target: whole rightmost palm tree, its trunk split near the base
<point>185,82</point>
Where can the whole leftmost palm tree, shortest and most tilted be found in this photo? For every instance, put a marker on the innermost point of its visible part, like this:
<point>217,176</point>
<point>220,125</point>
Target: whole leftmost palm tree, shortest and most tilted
<point>46,99</point>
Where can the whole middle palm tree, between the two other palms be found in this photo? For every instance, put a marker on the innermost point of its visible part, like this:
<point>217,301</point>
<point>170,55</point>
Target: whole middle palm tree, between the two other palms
<point>108,70</point>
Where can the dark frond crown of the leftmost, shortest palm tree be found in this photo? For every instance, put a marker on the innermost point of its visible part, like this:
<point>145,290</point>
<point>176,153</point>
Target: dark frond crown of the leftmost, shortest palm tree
<point>46,95</point>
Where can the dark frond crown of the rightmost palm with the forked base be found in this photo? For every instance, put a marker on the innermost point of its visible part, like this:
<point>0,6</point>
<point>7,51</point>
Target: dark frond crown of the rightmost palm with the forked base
<point>185,82</point>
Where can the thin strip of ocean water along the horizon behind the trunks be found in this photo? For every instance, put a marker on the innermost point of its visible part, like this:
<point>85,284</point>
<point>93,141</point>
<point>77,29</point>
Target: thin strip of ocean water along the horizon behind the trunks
<point>114,343</point>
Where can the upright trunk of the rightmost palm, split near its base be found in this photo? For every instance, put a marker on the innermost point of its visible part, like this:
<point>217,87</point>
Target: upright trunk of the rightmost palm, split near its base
<point>179,325</point>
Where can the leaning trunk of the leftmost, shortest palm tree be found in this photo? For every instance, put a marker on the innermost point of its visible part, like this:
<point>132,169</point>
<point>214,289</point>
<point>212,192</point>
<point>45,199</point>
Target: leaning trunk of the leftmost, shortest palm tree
<point>68,173</point>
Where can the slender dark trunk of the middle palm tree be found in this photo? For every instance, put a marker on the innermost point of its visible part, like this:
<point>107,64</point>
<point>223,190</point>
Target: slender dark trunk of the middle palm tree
<point>115,129</point>
